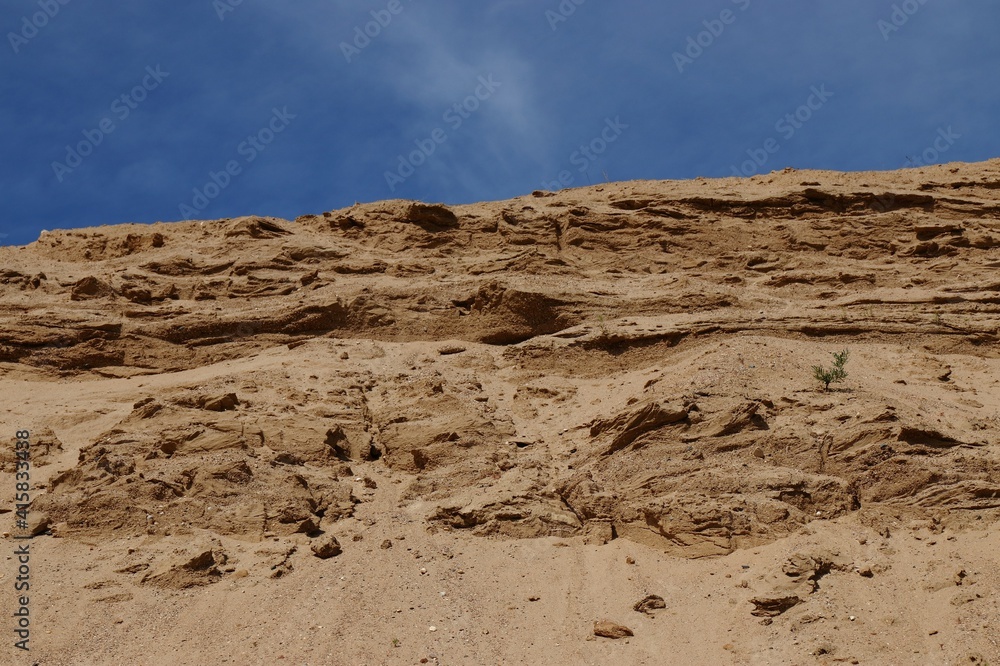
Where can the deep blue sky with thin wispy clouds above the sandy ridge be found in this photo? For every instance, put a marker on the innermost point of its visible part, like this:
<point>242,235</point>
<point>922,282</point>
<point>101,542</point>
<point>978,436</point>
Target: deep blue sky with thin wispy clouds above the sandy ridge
<point>157,111</point>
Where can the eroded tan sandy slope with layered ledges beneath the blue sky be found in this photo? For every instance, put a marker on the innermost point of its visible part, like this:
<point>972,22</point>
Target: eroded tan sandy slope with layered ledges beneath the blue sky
<point>517,418</point>
